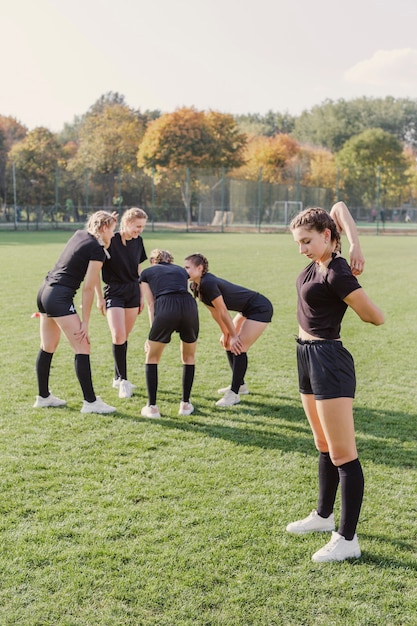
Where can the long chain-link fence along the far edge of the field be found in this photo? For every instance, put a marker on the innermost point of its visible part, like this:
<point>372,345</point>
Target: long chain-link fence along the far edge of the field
<point>188,199</point>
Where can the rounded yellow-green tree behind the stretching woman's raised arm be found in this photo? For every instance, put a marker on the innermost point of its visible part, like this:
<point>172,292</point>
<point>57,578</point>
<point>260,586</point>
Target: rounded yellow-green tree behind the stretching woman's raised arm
<point>374,166</point>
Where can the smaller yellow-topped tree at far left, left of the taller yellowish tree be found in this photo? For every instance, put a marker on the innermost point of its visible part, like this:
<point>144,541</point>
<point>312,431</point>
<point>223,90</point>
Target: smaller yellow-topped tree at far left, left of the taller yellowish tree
<point>37,158</point>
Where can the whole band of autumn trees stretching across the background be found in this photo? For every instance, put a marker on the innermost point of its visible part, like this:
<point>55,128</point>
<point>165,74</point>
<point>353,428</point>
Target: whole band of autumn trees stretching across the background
<point>364,150</point>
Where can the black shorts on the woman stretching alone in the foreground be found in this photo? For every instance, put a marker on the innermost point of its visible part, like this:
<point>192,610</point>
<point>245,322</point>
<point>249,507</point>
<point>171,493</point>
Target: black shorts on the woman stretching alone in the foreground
<point>325,369</point>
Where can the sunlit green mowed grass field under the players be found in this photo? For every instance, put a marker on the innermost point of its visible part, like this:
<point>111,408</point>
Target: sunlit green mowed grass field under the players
<point>121,520</point>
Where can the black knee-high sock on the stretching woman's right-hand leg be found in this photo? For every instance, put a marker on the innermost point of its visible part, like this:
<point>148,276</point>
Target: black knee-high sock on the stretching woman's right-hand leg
<point>351,488</point>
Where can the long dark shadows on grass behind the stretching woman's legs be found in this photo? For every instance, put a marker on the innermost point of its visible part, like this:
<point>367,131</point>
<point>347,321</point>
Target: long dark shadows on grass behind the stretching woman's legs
<point>383,437</point>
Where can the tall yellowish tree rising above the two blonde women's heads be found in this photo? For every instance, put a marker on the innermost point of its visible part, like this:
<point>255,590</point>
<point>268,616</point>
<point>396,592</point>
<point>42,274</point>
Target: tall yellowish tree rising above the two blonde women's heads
<point>109,136</point>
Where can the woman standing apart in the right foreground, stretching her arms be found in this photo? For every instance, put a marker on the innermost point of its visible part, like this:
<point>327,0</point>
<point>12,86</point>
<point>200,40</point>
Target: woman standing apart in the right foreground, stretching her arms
<point>326,287</point>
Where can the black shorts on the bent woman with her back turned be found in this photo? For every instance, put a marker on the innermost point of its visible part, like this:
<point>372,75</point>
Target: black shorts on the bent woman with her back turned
<point>175,313</point>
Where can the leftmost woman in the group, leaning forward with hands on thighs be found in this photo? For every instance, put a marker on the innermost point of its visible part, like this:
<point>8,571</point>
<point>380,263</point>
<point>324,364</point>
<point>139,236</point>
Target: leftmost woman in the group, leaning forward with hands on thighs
<point>80,262</point>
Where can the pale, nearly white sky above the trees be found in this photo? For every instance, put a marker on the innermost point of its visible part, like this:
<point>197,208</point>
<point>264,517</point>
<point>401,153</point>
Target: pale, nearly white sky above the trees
<point>59,56</point>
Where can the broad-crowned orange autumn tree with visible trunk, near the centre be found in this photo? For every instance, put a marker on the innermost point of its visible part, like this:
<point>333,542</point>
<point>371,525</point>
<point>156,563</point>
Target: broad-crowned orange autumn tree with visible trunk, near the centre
<point>187,139</point>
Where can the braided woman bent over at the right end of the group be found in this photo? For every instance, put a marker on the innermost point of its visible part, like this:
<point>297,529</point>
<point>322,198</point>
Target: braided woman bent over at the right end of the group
<point>238,334</point>
